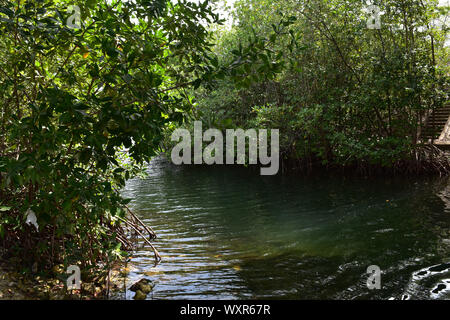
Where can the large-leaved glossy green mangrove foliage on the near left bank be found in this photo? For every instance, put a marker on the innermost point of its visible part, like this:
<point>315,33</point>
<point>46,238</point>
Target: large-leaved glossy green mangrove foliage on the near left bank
<point>74,97</point>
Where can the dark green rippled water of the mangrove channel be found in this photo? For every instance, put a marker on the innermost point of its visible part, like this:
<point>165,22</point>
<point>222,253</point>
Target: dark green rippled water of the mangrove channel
<point>228,233</point>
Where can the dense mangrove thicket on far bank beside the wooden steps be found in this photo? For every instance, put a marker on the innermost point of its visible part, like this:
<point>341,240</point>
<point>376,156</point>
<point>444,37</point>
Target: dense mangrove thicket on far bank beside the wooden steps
<point>348,95</point>
